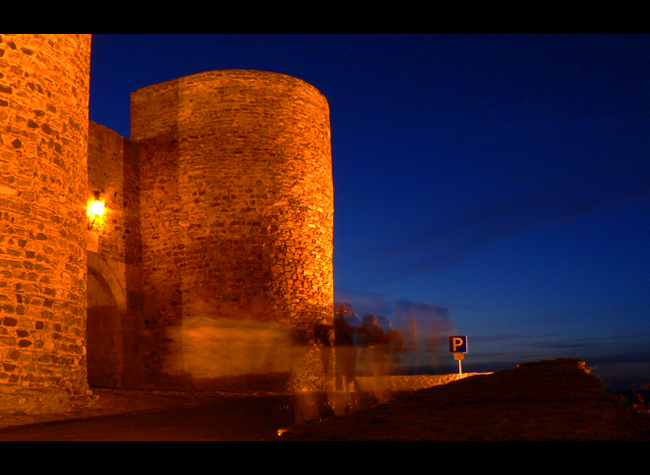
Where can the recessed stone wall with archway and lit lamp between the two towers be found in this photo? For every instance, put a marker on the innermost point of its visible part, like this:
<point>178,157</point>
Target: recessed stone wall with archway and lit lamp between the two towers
<point>115,312</point>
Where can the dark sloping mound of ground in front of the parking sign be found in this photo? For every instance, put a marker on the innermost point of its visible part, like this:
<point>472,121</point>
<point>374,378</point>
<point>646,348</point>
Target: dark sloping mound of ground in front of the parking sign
<point>549,400</point>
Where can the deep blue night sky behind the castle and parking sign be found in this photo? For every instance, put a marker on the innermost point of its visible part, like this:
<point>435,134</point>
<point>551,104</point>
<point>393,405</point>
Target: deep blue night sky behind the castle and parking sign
<point>500,183</point>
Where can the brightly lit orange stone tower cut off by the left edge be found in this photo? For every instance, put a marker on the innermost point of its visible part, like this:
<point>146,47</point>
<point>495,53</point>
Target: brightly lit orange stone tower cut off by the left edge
<point>44,93</point>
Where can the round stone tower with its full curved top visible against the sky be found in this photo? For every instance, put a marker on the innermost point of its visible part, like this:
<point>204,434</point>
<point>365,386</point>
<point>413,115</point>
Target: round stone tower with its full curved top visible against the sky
<point>237,225</point>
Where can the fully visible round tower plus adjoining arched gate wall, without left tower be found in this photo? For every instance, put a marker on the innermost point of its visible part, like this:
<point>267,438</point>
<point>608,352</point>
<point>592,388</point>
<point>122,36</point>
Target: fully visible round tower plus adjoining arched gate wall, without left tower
<point>219,217</point>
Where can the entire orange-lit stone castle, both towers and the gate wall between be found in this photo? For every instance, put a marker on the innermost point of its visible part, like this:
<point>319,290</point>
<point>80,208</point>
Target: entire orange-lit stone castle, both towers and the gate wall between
<point>213,260</point>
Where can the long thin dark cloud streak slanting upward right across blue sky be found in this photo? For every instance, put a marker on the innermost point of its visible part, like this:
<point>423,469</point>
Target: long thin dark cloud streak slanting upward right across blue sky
<point>452,242</point>
